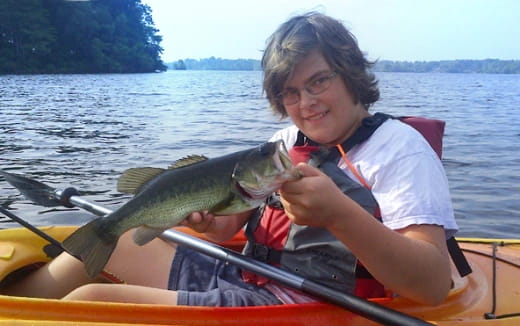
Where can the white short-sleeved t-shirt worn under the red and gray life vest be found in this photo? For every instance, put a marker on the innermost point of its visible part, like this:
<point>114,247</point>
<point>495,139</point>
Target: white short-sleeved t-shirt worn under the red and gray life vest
<point>407,178</point>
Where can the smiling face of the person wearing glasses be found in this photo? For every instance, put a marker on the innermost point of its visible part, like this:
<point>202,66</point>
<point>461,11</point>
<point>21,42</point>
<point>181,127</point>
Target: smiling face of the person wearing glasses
<point>329,117</point>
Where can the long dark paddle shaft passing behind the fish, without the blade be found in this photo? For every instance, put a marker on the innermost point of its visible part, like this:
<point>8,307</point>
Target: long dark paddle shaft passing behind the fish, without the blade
<point>350,302</point>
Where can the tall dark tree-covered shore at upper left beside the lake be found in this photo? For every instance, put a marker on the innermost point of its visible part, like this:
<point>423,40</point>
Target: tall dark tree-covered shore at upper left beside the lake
<point>60,36</point>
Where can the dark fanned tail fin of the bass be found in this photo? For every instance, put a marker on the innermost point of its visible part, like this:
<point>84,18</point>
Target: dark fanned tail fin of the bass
<point>92,246</point>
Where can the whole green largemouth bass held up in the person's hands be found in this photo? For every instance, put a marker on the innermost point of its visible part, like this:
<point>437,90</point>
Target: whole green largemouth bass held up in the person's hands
<point>225,185</point>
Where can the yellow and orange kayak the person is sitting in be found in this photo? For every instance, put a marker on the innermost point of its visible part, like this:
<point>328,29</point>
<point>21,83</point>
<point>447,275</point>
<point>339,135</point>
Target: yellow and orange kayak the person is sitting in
<point>492,289</point>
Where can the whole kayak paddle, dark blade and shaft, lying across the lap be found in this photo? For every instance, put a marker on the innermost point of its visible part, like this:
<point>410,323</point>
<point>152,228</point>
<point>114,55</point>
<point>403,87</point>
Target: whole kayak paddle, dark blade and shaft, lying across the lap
<point>44,195</point>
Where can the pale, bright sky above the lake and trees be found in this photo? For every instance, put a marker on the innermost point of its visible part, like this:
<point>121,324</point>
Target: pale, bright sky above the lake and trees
<point>403,30</point>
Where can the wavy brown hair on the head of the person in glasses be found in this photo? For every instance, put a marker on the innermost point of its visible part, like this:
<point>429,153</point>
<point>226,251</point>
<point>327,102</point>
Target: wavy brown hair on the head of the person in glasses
<point>297,37</point>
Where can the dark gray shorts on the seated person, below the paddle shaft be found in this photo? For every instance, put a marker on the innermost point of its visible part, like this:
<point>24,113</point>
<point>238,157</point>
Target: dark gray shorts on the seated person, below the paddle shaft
<point>201,280</point>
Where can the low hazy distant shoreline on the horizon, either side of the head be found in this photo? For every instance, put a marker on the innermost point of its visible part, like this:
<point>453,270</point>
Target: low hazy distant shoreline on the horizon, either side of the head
<point>487,66</point>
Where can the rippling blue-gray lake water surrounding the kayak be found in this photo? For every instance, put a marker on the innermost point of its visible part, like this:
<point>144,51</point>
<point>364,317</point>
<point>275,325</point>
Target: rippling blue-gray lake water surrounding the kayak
<point>85,130</point>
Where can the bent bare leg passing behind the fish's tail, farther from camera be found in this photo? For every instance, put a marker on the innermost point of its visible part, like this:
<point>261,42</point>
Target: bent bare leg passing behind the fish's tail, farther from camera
<point>148,265</point>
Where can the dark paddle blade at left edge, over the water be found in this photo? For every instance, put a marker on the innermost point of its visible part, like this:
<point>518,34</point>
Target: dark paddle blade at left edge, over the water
<point>35,191</point>
